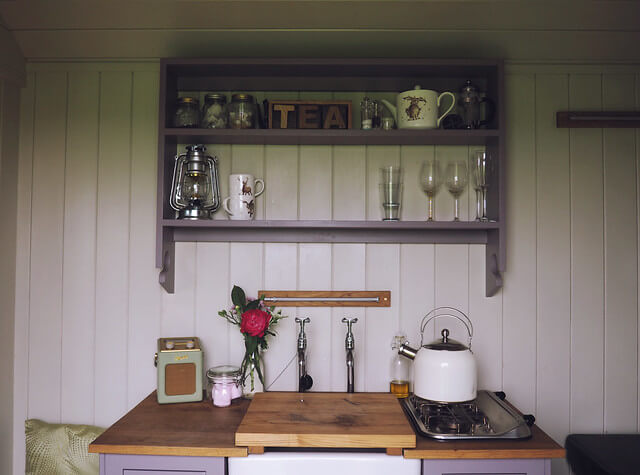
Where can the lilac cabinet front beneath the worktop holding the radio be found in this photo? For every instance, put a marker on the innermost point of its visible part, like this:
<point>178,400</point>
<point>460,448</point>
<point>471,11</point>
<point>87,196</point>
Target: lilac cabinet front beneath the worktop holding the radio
<point>116,464</point>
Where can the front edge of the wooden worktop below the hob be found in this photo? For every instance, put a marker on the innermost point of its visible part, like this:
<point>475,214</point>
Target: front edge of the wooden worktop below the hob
<point>484,453</point>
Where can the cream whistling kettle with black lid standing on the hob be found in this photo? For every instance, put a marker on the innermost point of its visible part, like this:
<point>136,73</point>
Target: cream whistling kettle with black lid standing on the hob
<point>444,370</point>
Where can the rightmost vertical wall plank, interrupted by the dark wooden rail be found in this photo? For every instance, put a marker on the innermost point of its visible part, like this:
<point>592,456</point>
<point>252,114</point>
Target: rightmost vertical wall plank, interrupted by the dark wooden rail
<point>621,263</point>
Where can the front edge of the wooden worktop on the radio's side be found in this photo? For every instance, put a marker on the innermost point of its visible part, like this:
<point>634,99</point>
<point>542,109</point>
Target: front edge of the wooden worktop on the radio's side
<point>168,450</point>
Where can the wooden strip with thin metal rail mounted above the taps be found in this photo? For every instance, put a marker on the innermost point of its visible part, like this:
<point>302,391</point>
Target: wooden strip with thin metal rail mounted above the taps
<point>316,298</point>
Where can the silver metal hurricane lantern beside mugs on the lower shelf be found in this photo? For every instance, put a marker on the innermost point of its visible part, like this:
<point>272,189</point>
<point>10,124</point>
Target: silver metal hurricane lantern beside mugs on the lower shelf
<point>195,190</point>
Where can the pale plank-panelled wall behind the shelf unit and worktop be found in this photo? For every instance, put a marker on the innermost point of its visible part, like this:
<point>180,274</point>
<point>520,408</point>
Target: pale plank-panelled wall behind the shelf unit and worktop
<point>561,338</point>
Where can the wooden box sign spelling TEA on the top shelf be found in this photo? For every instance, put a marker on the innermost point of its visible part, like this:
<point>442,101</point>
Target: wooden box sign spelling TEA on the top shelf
<point>309,114</point>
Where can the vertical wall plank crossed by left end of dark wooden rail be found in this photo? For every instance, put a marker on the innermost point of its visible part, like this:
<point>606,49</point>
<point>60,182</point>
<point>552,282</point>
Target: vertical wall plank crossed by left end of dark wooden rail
<point>553,255</point>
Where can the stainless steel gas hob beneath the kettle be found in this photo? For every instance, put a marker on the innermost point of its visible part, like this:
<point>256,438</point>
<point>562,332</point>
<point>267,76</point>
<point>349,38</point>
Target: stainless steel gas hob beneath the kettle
<point>486,417</point>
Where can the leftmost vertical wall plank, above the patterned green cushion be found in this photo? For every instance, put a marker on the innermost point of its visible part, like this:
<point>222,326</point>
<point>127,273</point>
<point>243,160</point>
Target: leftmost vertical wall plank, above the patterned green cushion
<point>45,323</point>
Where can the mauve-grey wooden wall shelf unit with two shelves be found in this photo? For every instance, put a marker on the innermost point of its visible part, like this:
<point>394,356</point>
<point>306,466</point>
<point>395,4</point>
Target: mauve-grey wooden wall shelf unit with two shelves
<point>326,75</point>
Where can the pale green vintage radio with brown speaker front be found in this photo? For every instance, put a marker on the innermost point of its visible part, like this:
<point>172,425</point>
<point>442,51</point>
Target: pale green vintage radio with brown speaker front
<point>179,362</point>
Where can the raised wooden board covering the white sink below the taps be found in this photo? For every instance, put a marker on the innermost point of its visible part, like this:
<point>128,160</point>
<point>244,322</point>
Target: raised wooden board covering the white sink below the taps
<point>328,420</point>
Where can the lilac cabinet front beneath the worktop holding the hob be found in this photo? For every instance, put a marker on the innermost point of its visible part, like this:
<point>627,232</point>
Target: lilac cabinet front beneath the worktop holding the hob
<point>487,467</point>
